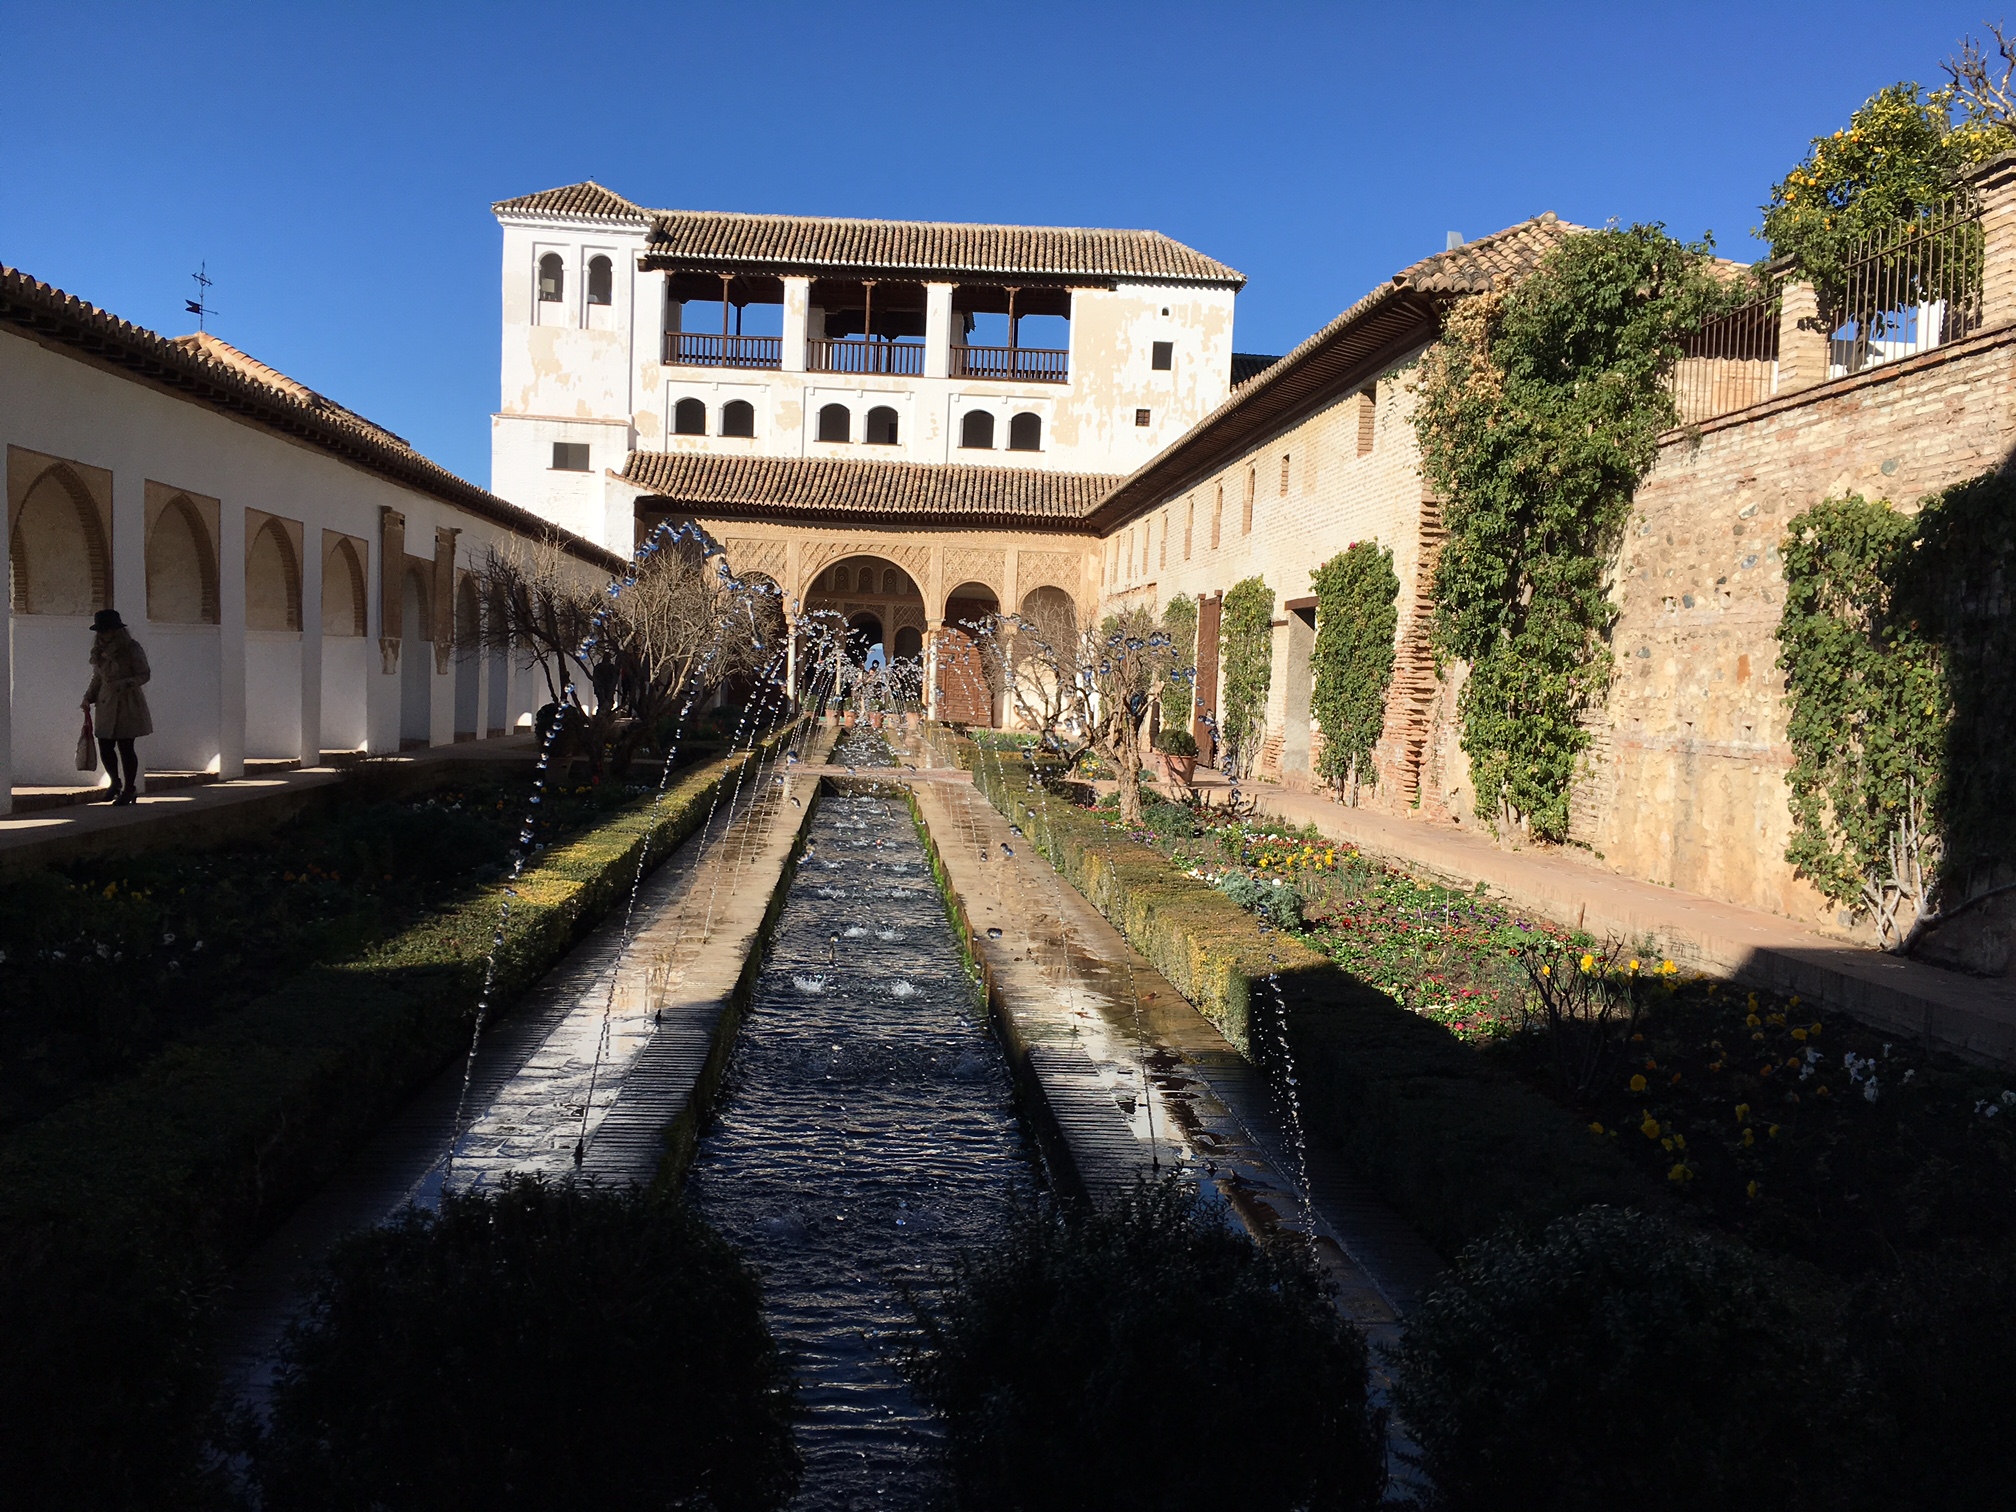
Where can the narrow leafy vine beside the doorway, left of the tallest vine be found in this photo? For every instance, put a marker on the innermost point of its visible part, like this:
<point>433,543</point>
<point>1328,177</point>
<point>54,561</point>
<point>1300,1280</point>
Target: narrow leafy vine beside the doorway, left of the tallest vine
<point>1358,598</point>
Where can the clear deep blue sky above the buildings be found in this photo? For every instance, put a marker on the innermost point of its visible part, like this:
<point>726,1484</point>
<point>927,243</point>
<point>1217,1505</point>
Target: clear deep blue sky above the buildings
<point>336,164</point>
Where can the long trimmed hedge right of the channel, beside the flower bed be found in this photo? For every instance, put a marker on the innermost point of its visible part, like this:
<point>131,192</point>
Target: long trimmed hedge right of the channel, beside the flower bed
<point>1455,1144</point>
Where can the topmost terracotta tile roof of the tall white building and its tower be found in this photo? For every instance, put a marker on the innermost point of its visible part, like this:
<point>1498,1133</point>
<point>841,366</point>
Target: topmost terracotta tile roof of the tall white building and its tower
<point>779,243</point>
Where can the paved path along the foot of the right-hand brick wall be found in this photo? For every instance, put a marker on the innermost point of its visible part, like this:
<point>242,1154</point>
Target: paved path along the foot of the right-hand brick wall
<point>1969,1015</point>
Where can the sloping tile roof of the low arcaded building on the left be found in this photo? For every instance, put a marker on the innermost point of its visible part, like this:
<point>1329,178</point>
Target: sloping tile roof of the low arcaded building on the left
<point>249,390</point>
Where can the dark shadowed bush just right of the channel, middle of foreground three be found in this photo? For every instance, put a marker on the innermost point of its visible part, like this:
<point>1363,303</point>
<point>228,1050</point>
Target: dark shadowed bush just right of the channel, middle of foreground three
<point>1148,1358</point>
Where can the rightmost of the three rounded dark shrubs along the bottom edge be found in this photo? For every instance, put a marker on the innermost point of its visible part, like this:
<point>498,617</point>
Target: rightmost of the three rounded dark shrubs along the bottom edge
<point>1622,1362</point>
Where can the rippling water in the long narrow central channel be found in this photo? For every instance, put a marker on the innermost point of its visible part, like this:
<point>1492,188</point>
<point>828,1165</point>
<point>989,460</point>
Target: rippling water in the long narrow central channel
<point>866,1134</point>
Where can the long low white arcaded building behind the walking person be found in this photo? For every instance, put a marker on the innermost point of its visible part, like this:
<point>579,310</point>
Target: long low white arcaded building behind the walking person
<point>301,580</point>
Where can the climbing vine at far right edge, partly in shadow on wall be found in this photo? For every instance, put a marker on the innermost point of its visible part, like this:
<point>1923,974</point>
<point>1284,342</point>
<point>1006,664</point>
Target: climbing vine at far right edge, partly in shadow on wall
<point>1900,672</point>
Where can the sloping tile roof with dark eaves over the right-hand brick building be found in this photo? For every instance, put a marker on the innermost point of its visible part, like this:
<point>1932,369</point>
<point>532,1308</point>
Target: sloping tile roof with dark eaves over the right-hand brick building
<point>1392,322</point>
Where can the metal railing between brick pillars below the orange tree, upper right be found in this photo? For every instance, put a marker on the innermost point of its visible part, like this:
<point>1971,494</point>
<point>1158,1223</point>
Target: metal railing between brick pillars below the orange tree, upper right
<point>1908,289</point>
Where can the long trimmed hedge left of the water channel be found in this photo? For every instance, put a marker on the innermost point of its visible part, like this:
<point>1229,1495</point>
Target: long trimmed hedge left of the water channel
<point>122,1211</point>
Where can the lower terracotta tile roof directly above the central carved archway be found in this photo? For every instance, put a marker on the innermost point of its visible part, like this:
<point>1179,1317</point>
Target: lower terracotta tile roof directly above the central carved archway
<point>918,493</point>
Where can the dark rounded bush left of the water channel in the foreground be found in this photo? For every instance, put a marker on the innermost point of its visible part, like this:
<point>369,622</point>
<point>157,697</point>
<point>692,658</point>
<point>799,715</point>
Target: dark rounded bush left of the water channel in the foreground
<point>539,1348</point>
